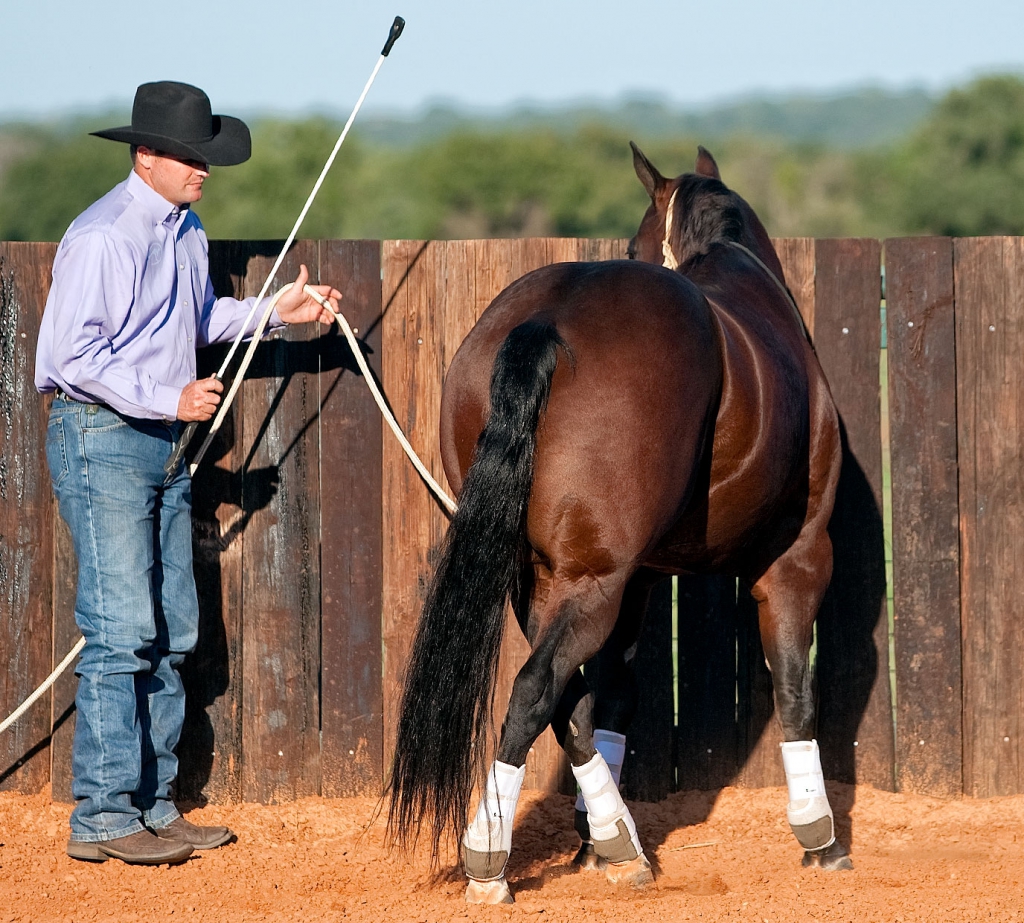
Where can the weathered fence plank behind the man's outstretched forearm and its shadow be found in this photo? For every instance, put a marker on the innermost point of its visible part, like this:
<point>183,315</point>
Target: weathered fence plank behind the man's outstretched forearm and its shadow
<point>281,557</point>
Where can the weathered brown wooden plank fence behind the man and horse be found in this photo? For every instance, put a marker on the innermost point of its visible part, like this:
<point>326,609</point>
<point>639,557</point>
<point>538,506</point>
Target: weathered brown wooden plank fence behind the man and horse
<point>314,536</point>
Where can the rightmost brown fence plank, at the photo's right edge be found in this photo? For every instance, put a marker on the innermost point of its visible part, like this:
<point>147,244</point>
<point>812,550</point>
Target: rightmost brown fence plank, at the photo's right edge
<point>990,291</point>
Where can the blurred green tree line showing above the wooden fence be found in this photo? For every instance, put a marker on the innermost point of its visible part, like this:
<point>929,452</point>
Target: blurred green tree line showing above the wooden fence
<point>959,173</point>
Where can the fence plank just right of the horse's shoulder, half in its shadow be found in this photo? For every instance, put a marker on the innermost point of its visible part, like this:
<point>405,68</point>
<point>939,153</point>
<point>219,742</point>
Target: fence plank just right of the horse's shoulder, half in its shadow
<point>856,705</point>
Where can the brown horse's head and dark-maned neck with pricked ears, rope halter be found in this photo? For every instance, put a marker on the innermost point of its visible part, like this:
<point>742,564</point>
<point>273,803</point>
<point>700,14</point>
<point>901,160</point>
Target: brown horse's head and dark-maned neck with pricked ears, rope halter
<point>688,216</point>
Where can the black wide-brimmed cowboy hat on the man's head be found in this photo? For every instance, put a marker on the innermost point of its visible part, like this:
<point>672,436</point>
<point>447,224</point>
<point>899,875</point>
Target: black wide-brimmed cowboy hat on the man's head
<point>177,119</point>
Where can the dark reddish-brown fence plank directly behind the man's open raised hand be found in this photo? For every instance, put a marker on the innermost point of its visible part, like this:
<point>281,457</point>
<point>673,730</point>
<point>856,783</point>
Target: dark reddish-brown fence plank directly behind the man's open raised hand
<point>351,459</point>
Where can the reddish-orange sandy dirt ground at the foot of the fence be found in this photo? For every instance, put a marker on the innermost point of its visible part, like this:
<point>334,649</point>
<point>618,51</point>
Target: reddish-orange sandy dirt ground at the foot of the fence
<point>718,857</point>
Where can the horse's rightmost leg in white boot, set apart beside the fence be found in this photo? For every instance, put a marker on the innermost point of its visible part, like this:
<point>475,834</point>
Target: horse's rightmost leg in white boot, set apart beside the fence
<point>789,596</point>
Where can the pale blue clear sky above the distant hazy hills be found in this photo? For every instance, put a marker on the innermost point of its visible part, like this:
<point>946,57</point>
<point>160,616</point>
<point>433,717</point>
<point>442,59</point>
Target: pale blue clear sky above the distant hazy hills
<point>313,56</point>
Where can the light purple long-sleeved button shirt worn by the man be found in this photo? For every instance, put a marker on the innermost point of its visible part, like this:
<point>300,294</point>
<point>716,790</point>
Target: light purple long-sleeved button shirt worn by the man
<point>132,302</point>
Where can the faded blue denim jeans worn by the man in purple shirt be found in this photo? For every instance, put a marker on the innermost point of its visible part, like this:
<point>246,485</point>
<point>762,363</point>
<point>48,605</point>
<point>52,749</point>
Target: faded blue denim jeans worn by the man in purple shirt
<point>137,607</point>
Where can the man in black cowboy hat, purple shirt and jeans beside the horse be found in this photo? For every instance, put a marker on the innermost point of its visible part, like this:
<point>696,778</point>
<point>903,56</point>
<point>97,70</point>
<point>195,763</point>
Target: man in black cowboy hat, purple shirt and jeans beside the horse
<point>131,303</point>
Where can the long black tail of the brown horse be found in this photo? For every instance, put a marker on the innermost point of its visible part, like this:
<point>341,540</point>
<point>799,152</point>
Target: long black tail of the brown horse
<point>445,723</point>
